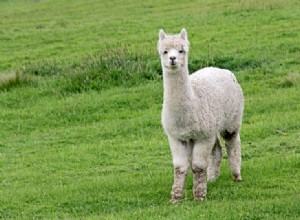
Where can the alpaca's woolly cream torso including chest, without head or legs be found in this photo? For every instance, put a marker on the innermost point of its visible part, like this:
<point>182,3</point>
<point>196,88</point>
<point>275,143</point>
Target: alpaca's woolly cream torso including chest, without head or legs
<point>212,105</point>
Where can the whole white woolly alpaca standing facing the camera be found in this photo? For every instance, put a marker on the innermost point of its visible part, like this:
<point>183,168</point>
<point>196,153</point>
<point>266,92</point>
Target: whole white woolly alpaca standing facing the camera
<point>196,109</point>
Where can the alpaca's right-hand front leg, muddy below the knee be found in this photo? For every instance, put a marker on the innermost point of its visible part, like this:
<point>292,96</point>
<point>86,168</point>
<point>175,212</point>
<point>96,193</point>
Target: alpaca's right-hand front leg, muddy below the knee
<point>201,156</point>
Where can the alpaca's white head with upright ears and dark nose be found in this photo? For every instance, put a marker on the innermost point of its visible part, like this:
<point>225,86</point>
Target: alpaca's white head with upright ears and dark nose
<point>173,50</point>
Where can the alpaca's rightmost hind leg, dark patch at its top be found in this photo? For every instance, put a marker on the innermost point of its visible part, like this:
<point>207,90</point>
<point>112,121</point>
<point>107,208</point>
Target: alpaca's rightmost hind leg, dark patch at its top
<point>233,146</point>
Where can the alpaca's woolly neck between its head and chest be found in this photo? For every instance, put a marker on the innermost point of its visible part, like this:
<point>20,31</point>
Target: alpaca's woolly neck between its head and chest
<point>177,87</point>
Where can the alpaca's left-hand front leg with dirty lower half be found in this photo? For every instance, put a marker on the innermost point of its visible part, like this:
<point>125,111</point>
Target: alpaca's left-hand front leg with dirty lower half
<point>180,154</point>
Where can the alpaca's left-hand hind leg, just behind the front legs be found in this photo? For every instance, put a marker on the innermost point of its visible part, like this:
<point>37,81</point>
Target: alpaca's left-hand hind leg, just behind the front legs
<point>213,170</point>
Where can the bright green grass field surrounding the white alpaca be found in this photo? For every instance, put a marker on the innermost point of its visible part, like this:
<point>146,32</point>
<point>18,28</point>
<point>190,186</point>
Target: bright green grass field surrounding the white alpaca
<point>80,102</point>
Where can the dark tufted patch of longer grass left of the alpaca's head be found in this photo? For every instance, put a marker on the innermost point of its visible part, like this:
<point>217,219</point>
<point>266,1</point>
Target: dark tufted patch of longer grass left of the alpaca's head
<point>106,68</point>
